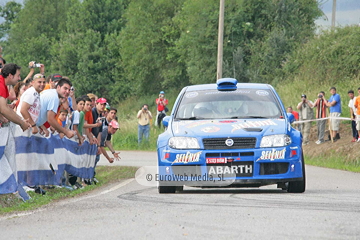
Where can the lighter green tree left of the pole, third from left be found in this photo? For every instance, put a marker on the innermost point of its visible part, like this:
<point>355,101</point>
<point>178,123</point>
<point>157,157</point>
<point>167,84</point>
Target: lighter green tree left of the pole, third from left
<point>147,46</point>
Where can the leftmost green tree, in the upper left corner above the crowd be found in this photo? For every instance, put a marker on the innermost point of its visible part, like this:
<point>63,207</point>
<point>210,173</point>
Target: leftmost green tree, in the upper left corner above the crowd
<point>35,28</point>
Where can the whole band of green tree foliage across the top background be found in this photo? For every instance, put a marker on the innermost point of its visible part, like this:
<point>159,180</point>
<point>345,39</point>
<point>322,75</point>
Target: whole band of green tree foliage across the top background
<point>118,48</point>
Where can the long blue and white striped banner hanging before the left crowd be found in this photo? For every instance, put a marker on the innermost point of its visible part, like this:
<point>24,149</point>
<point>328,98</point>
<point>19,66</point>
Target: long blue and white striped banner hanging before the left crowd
<point>42,161</point>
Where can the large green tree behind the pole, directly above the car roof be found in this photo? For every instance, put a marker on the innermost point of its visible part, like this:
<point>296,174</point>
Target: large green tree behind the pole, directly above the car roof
<point>258,35</point>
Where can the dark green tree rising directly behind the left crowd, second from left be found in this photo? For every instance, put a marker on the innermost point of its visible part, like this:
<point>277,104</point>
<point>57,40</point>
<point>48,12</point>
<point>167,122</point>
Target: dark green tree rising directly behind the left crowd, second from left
<point>86,52</point>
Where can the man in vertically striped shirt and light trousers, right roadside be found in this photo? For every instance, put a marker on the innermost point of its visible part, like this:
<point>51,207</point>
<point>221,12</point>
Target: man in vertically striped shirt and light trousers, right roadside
<point>320,105</point>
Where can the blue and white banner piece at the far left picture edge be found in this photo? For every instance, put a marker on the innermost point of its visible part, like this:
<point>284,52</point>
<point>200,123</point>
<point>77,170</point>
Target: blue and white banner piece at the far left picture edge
<point>8,181</point>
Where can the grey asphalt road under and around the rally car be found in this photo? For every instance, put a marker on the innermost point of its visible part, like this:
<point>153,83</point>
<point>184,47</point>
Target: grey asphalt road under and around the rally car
<point>329,209</point>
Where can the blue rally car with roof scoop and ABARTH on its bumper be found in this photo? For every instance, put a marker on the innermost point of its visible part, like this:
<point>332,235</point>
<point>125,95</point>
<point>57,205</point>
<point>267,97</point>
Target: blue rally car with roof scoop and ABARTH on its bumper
<point>229,134</point>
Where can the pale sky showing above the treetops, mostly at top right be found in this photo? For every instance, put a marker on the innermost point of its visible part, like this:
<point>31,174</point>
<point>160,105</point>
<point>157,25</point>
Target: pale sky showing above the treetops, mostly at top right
<point>347,12</point>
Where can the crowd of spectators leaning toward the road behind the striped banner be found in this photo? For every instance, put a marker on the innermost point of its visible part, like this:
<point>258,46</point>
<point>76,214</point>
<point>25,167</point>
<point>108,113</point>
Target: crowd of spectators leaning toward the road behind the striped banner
<point>41,107</point>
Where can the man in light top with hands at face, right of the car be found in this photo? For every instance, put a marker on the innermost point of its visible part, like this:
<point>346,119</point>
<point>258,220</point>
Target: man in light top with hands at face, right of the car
<point>305,113</point>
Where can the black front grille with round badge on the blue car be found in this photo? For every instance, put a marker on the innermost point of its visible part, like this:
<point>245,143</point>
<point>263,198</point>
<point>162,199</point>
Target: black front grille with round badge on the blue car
<point>239,143</point>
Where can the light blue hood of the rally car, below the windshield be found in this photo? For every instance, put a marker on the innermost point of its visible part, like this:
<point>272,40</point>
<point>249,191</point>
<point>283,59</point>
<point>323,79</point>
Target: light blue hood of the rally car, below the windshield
<point>228,128</point>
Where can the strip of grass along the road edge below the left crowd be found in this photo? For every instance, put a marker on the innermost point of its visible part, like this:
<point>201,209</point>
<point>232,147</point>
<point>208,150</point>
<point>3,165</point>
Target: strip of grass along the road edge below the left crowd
<point>105,174</point>
